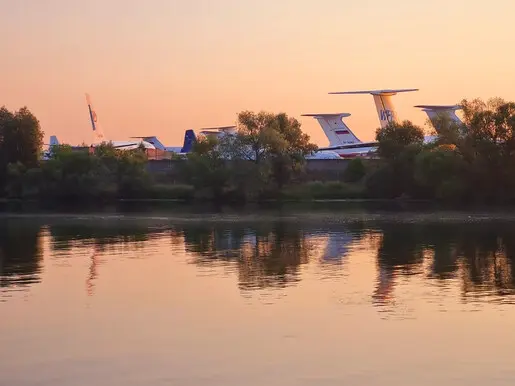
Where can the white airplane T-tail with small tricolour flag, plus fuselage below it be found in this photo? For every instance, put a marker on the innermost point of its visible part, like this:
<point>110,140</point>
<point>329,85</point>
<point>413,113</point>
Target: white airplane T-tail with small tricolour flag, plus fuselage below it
<point>342,140</point>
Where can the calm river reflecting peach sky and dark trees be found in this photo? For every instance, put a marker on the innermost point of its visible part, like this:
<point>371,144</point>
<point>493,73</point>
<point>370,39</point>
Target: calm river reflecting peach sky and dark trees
<point>260,298</point>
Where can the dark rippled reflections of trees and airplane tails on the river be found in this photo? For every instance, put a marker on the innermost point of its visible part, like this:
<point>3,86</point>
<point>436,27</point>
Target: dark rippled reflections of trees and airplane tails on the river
<point>480,258</point>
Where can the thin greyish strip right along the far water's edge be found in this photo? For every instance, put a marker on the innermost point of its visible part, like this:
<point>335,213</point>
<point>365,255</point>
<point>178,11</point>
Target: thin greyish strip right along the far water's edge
<point>320,218</point>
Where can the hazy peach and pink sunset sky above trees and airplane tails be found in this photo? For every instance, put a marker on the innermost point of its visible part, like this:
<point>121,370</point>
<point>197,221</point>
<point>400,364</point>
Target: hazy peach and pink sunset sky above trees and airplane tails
<point>159,67</point>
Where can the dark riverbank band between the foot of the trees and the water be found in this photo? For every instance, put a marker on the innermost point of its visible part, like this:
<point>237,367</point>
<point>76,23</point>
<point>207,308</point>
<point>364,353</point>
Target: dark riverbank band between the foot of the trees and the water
<point>154,213</point>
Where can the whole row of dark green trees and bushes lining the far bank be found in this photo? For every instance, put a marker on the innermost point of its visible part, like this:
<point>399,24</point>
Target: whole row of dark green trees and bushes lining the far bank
<point>470,162</point>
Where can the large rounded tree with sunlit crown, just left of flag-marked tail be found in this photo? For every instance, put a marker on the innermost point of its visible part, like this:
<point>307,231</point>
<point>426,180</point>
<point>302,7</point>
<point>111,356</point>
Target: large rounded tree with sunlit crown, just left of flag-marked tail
<point>264,154</point>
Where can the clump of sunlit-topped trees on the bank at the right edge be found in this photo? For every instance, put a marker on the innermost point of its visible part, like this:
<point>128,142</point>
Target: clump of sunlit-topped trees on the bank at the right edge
<point>473,161</point>
